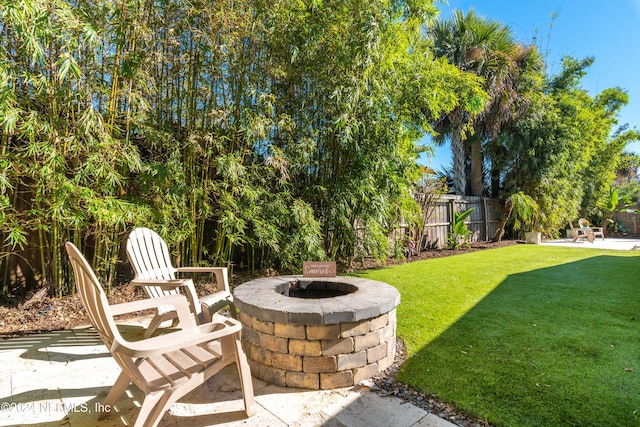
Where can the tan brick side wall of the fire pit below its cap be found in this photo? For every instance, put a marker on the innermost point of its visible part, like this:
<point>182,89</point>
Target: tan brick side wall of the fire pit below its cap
<point>319,356</point>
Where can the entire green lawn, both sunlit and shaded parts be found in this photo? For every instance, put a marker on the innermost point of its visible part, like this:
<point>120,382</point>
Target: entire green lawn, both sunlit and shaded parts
<point>525,335</point>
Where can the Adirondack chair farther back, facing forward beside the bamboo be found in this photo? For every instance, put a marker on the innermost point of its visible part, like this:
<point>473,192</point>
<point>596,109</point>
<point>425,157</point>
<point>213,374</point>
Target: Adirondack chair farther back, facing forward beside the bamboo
<point>149,256</point>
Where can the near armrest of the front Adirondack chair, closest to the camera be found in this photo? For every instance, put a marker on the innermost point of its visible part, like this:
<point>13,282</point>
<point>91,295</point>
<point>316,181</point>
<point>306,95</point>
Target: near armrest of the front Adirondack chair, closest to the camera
<point>163,344</point>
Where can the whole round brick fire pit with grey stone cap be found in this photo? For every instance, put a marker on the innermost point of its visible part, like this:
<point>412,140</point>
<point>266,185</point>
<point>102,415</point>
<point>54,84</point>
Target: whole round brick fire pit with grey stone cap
<point>317,333</point>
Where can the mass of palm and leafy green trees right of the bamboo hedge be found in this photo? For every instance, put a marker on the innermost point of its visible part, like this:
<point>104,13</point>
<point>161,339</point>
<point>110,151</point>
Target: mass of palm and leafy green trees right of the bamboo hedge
<point>543,135</point>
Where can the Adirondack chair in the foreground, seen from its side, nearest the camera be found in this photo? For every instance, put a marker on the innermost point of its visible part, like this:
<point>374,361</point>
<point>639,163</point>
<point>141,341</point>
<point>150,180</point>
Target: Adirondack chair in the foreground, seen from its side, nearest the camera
<point>165,367</point>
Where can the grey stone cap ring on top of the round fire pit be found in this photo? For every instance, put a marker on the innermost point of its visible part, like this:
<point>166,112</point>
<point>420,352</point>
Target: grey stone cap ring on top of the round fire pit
<point>259,298</point>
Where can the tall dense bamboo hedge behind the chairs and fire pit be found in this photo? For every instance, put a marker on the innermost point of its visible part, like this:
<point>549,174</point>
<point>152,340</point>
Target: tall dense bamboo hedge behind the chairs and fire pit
<point>252,131</point>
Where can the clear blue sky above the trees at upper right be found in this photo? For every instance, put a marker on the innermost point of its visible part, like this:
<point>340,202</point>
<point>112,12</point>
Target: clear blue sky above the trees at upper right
<point>608,31</point>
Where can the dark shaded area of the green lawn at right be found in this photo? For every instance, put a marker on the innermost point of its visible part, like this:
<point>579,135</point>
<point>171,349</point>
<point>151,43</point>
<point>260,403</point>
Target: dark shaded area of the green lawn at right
<point>553,346</point>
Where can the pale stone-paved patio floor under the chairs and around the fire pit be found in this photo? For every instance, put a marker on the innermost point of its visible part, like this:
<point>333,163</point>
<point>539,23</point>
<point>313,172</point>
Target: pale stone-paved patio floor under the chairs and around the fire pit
<point>61,378</point>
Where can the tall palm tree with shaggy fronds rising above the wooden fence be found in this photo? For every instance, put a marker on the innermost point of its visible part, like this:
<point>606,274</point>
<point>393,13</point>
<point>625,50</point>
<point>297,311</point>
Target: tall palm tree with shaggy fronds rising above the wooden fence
<point>488,49</point>
